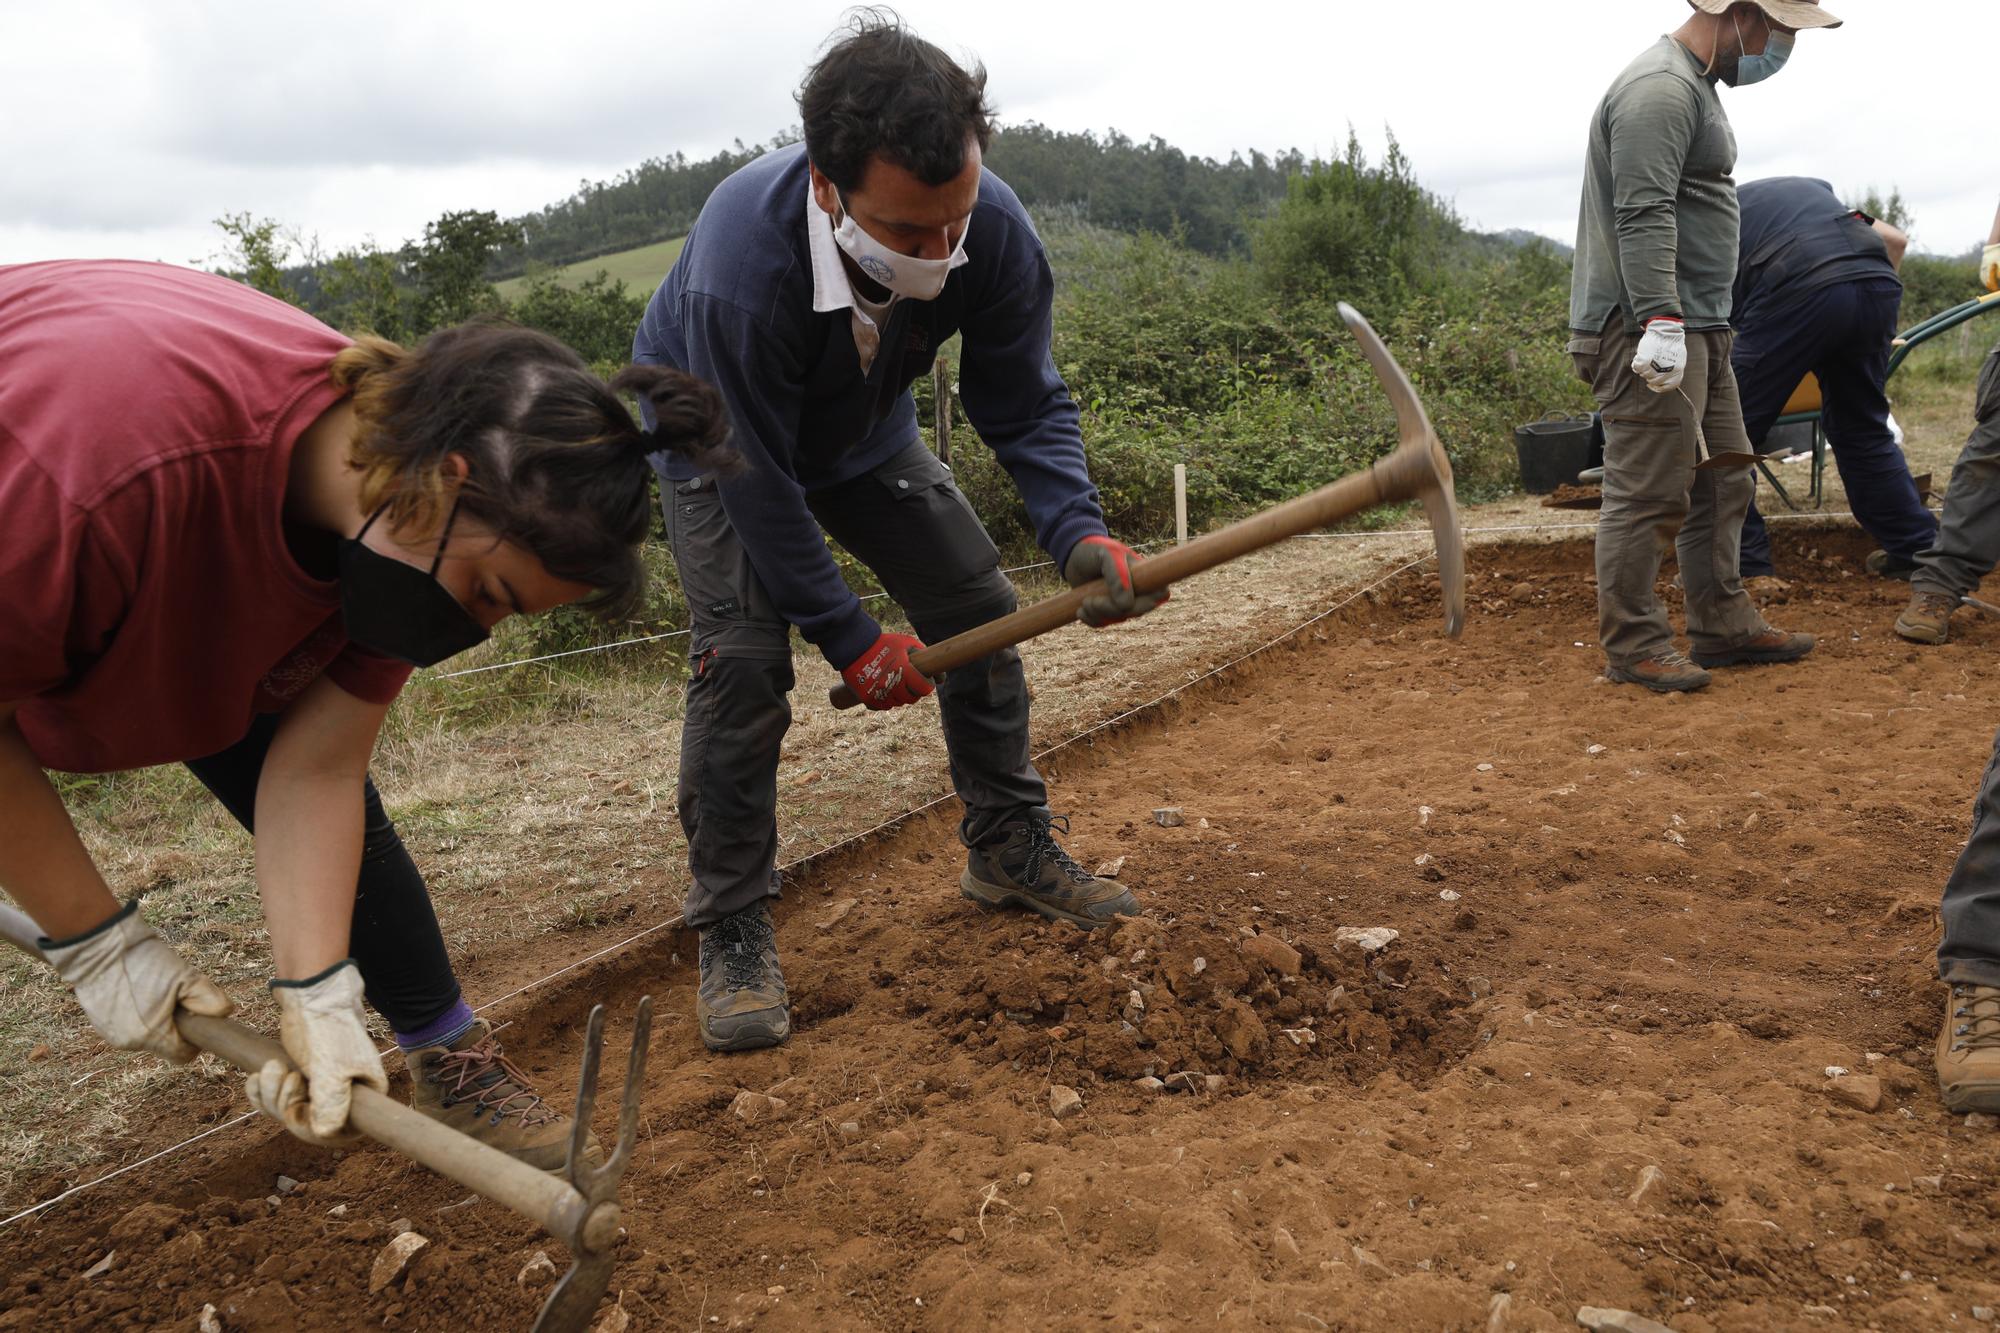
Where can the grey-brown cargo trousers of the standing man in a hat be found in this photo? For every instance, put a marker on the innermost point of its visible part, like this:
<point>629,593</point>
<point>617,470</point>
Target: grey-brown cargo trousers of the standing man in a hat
<point>1655,495</point>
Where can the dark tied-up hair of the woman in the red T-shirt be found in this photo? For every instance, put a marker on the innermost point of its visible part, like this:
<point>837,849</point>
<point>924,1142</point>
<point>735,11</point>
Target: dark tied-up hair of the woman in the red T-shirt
<point>555,461</point>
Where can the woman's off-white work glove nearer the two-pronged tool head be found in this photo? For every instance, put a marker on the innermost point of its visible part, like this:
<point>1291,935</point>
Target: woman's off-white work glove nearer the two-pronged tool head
<point>323,1032</point>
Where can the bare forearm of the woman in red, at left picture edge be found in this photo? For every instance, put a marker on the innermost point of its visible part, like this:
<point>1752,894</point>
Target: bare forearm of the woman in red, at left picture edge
<point>43,864</point>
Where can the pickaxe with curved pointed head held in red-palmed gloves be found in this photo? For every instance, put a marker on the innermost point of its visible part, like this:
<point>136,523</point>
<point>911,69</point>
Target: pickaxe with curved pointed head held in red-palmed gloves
<point>1415,471</point>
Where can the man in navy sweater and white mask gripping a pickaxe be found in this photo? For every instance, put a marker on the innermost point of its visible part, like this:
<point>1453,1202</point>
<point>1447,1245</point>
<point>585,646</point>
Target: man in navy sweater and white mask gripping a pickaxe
<point>815,287</point>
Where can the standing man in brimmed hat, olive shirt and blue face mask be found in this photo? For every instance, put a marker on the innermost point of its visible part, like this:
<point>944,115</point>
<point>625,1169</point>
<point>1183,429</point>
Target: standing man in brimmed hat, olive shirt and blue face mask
<point>1651,335</point>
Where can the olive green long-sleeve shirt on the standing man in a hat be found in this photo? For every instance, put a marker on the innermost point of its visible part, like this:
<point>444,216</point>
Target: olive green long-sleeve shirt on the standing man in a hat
<point>1657,229</point>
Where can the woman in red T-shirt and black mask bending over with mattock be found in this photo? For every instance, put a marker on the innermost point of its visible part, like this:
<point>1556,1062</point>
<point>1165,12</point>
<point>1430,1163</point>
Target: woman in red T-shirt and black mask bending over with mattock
<point>227,533</point>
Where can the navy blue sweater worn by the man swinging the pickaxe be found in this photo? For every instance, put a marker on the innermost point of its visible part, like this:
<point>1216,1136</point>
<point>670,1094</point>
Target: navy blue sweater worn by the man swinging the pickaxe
<point>737,311</point>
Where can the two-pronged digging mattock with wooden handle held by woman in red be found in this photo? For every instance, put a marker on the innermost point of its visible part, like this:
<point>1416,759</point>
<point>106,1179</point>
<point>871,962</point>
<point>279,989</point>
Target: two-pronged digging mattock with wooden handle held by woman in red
<point>577,1206</point>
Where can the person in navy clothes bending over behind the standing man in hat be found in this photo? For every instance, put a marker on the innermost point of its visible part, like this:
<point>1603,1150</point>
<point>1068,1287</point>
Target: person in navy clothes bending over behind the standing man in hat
<point>1817,293</point>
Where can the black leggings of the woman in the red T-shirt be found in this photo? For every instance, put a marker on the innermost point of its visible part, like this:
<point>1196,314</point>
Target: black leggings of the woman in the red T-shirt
<point>395,936</point>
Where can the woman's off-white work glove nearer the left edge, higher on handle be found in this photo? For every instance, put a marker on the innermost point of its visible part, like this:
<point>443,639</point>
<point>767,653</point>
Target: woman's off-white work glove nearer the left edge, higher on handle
<point>129,982</point>
